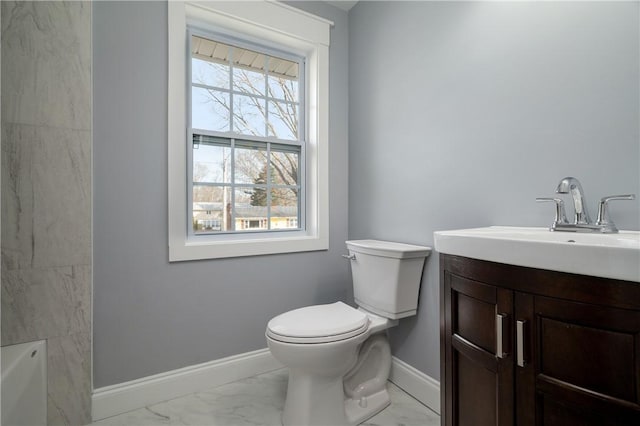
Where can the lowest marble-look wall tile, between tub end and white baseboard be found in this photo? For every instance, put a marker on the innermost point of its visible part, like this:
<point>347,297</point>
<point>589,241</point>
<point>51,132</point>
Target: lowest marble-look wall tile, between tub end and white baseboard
<point>69,380</point>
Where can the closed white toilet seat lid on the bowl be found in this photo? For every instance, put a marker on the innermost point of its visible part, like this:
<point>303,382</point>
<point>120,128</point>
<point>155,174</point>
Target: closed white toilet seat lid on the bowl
<point>318,324</point>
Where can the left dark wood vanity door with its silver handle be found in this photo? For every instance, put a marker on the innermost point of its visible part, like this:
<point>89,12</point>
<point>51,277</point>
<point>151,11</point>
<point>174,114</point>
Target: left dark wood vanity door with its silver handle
<point>477,341</point>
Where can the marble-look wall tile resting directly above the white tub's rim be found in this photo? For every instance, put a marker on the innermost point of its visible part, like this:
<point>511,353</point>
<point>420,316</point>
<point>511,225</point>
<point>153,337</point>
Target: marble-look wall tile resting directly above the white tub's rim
<point>44,303</point>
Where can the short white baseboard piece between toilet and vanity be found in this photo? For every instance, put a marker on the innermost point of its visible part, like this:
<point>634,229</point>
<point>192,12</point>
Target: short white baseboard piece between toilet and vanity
<point>417,384</point>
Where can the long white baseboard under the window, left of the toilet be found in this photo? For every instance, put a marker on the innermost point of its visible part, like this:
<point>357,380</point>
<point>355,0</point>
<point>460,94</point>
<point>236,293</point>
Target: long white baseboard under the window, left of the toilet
<point>117,399</point>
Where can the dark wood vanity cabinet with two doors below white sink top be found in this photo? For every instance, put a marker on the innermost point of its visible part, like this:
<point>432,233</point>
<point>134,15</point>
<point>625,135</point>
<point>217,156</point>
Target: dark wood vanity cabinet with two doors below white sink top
<point>524,346</point>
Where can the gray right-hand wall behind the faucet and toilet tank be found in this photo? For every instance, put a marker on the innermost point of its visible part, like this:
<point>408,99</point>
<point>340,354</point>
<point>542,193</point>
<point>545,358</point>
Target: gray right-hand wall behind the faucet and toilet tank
<point>462,113</point>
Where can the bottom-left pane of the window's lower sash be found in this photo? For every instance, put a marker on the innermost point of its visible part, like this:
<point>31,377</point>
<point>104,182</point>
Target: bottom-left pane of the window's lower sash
<point>209,209</point>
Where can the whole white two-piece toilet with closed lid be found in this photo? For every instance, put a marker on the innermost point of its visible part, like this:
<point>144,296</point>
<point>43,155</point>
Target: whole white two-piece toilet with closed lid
<point>339,356</point>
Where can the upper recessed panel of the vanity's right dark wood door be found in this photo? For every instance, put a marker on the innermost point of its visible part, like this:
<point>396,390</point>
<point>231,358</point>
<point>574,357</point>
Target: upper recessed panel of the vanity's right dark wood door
<point>594,348</point>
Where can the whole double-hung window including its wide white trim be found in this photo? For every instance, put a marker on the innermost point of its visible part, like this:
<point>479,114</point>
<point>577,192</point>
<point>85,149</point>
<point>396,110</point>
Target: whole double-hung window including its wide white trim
<point>248,130</point>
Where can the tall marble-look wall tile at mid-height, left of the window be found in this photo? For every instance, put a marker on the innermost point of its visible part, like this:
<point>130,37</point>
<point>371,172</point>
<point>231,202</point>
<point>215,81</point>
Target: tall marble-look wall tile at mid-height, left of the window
<point>47,202</point>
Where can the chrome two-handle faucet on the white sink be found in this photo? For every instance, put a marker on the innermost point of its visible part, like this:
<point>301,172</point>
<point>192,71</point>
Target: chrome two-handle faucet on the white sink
<point>582,221</point>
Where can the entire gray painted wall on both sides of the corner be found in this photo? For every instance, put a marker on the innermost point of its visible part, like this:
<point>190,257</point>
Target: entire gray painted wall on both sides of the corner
<point>460,114</point>
